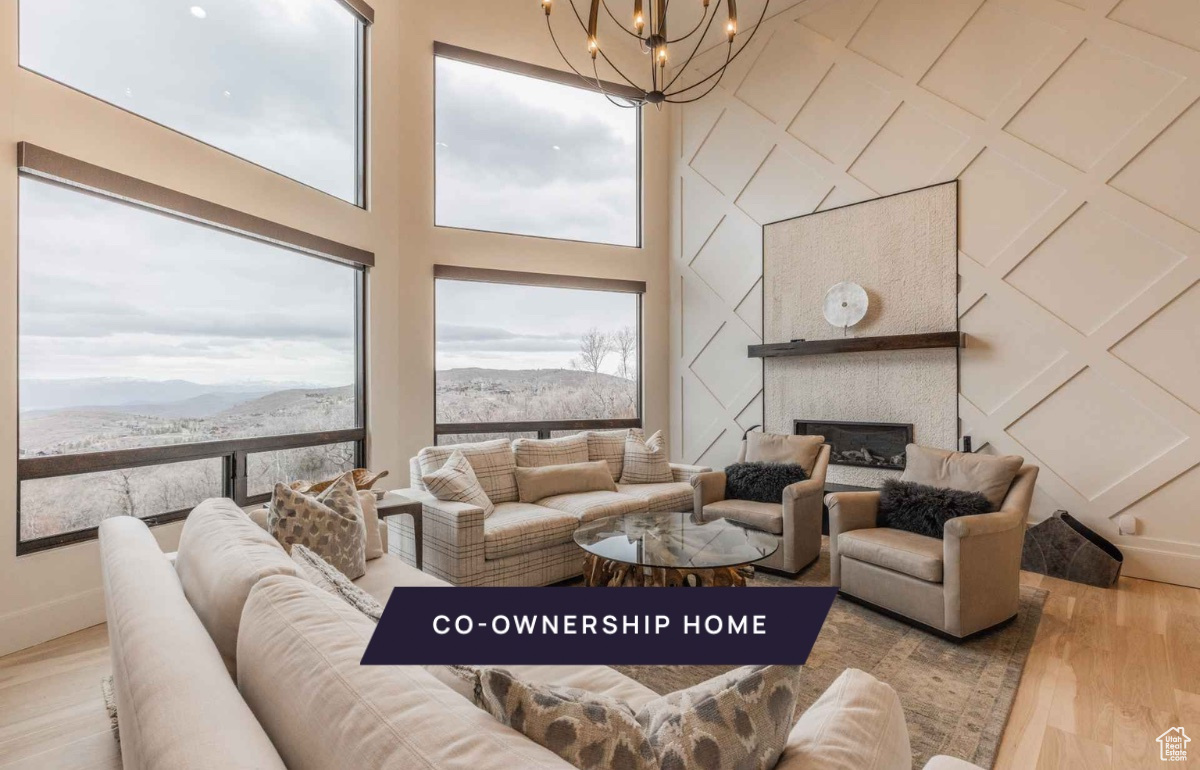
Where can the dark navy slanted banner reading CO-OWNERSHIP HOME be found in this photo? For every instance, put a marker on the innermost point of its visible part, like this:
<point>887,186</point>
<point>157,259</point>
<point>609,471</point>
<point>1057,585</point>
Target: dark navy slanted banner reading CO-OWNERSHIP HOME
<point>680,627</point>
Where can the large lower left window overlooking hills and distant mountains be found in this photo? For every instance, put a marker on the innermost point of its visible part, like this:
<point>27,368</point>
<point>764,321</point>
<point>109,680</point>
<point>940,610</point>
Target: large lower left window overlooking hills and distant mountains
<point>164,362</point>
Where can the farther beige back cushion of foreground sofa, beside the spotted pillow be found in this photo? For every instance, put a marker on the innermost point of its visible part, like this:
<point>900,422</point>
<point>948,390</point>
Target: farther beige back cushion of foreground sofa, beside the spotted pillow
<point>223,555</point>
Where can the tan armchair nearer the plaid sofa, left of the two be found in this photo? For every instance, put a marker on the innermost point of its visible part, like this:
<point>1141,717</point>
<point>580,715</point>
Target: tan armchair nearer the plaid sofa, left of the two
<point>796,520</point>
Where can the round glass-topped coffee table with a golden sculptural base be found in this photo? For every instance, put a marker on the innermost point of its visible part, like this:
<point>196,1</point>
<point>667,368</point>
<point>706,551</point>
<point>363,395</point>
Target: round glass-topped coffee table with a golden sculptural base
<point>670,550</point>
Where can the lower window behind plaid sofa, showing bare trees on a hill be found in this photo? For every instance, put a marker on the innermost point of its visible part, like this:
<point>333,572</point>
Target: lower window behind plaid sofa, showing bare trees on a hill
<point>529,359</point>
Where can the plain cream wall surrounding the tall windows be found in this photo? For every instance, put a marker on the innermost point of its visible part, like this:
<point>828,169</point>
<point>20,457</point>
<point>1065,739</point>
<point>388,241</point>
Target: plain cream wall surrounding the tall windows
<point>53,593</point>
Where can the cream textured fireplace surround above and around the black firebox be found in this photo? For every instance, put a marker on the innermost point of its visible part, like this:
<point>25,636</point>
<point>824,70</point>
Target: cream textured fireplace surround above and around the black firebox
<point>903,250</point>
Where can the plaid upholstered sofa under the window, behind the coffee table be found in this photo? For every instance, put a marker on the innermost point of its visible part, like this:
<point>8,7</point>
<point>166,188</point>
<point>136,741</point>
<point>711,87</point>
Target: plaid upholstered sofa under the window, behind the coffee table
<point>530,544</point>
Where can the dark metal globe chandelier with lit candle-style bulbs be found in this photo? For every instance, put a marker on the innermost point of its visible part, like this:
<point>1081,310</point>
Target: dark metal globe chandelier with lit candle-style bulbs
<point>649,27</point>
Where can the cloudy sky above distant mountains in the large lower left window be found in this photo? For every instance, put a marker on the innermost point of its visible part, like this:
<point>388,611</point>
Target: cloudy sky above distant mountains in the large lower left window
<point>115,291</point>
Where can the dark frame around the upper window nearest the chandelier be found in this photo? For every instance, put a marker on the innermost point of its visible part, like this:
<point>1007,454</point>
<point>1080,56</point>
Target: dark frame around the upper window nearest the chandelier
<point>524,69</point>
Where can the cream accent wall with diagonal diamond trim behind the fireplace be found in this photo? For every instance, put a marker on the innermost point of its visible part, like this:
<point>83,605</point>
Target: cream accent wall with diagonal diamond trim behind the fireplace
<point>1073,128</point>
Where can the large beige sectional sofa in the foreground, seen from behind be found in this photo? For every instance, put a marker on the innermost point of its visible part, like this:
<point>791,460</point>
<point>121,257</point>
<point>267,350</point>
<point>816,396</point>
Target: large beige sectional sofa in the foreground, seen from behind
<point>232,660</point>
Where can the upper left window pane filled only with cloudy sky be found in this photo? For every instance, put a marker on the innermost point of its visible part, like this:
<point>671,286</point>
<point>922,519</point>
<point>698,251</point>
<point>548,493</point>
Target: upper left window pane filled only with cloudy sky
<point>279,85</point>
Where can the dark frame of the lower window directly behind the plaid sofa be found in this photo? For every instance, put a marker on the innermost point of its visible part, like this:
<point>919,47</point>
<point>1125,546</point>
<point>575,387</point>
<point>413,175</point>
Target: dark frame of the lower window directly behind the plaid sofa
<point>544,429</point>
